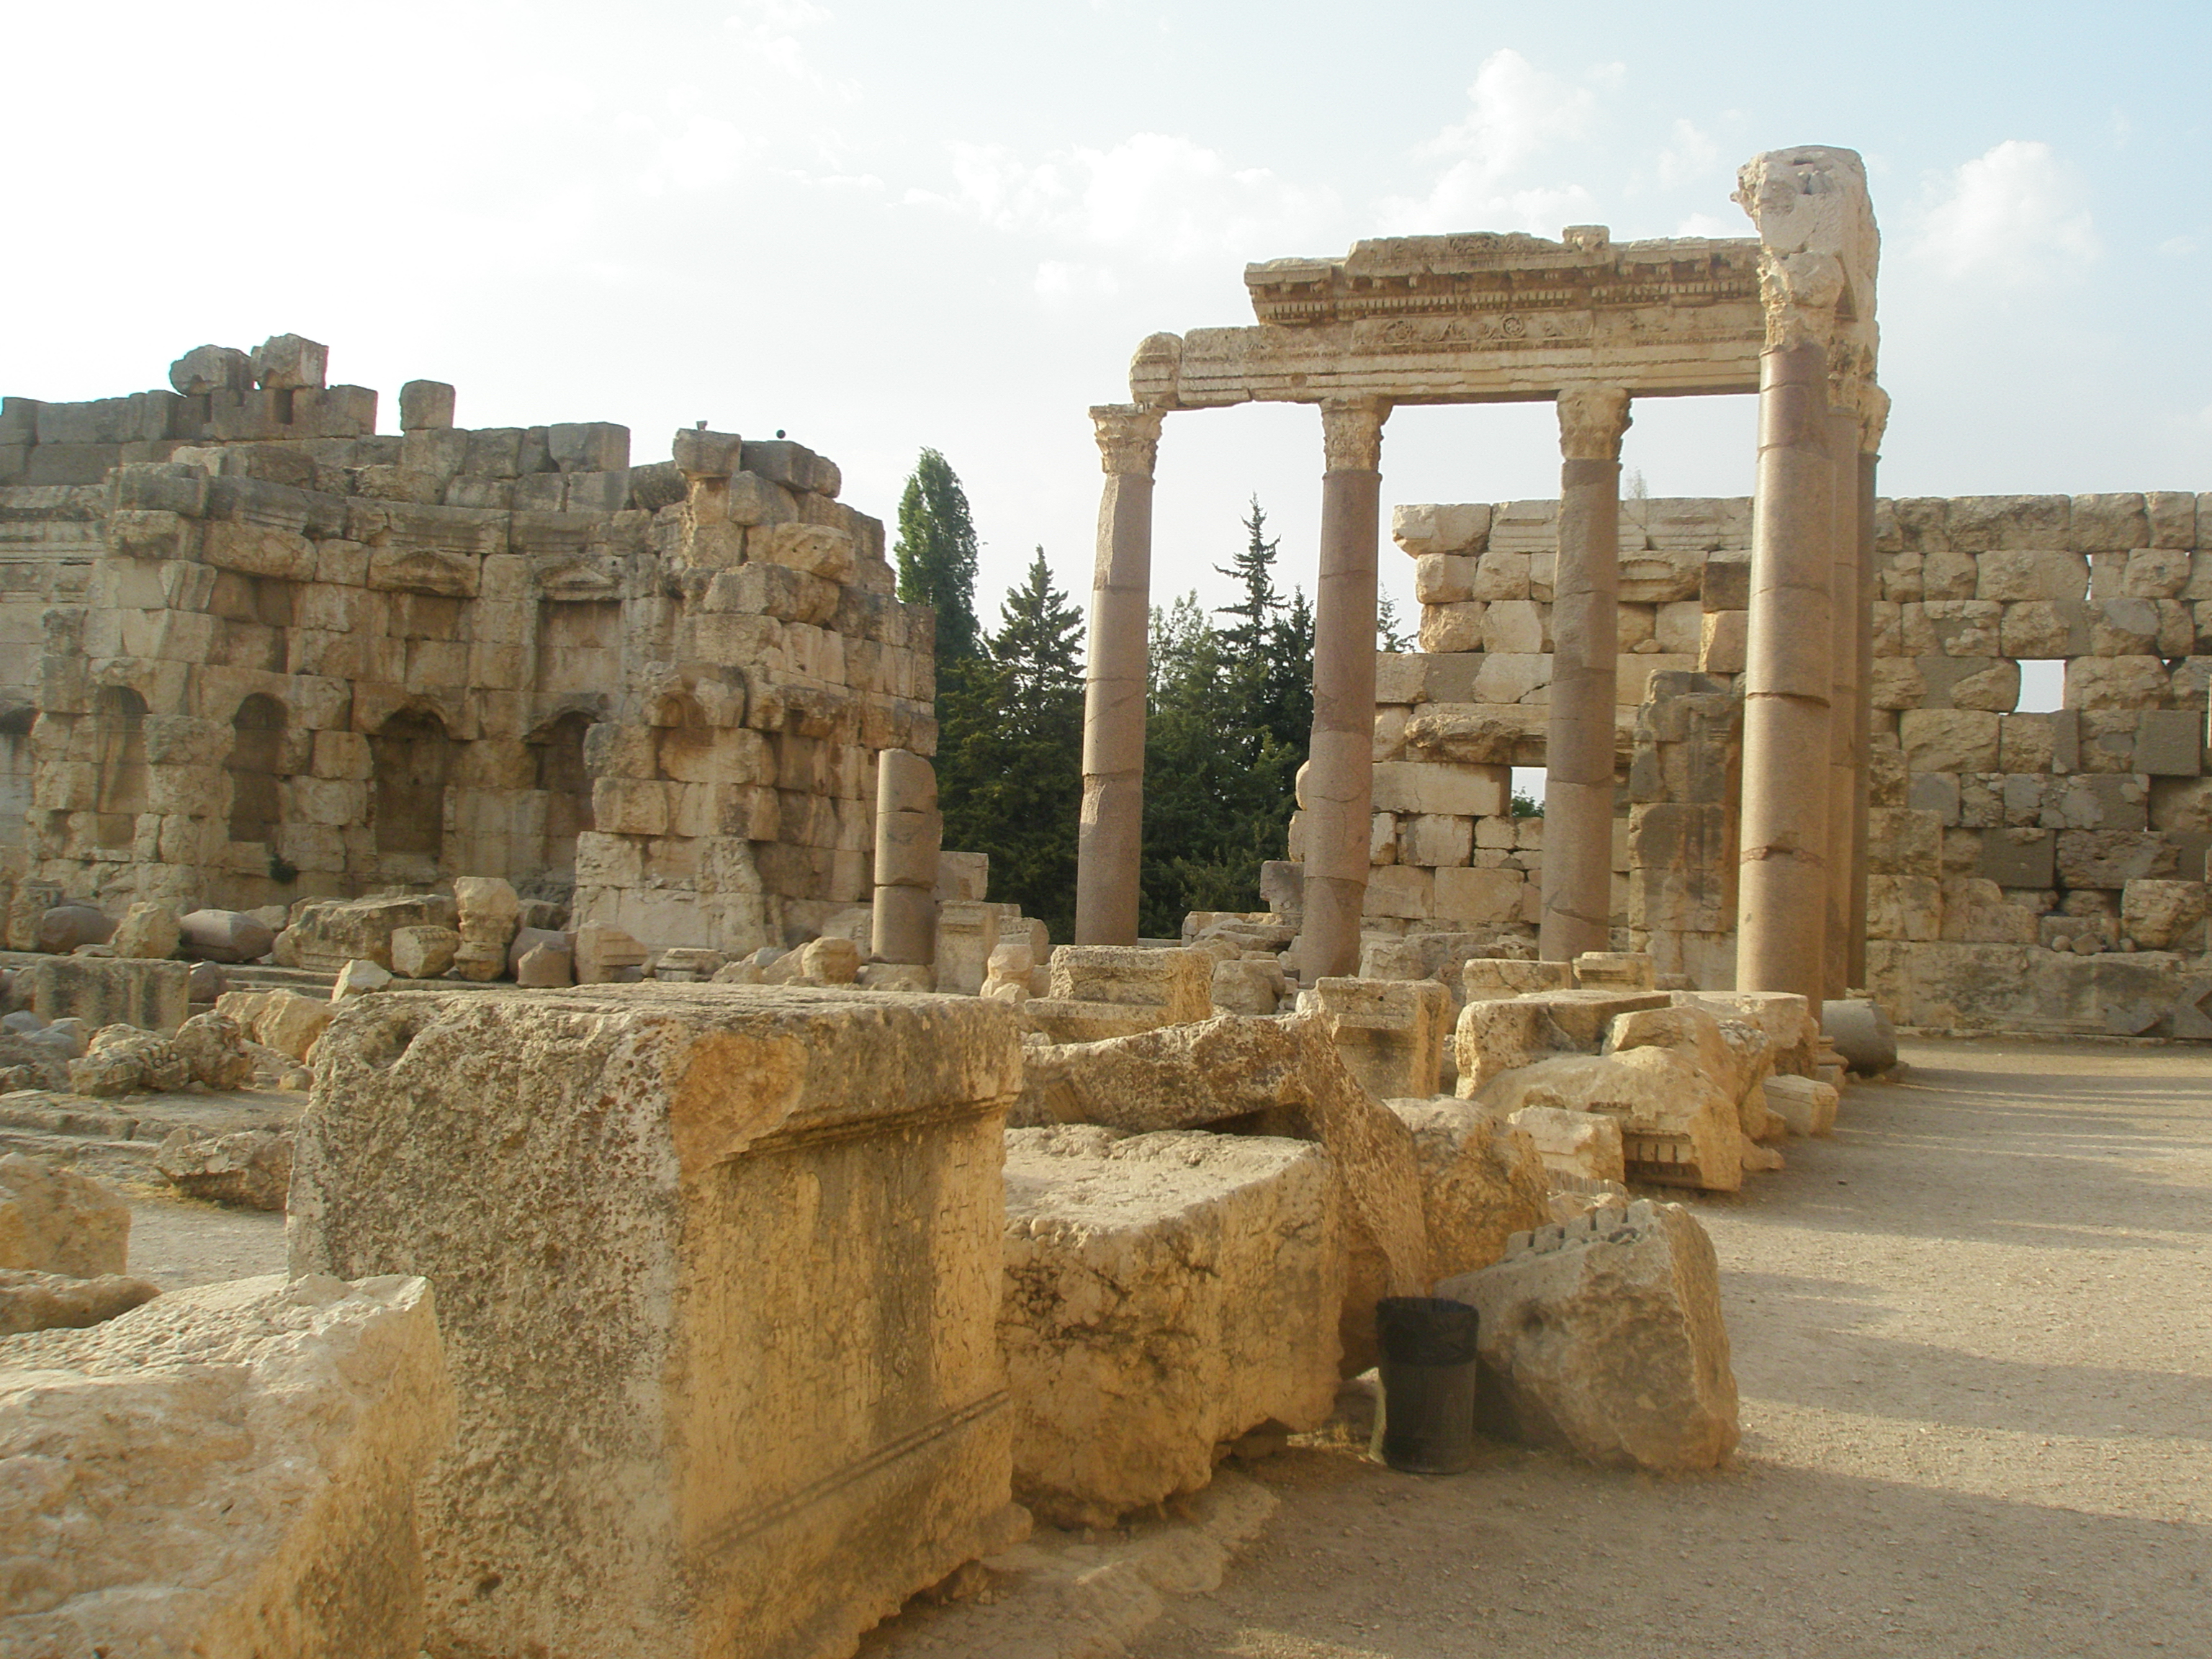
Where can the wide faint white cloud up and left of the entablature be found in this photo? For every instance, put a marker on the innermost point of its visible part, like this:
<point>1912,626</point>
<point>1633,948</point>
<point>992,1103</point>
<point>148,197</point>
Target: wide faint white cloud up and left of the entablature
<point>1154,196</point>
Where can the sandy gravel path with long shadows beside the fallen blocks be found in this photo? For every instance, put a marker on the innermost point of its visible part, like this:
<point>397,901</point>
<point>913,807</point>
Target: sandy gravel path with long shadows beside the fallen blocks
<point>1972,1339</point>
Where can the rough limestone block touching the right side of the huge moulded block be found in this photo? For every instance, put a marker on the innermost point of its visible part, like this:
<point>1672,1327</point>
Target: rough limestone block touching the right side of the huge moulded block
<point>1162,1297</point>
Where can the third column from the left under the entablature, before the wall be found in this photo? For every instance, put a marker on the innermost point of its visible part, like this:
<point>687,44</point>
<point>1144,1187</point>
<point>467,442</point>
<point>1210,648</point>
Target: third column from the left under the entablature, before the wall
<point>1585,669</point>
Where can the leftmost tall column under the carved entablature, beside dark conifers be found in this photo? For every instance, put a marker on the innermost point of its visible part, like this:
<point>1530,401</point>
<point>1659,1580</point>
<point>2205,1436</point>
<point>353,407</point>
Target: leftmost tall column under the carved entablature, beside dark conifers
<point>1112,833</point>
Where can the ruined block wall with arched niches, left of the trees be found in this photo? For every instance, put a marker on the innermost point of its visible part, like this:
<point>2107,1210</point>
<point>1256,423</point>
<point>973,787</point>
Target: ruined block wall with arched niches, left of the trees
<point>253,651</point>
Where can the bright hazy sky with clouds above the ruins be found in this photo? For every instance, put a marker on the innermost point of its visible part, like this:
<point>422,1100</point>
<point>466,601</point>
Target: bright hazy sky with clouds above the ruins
<point>884,227</point>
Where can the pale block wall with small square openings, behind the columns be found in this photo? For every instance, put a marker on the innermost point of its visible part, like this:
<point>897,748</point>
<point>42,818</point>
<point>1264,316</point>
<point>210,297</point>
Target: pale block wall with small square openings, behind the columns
<point>2030,870</point>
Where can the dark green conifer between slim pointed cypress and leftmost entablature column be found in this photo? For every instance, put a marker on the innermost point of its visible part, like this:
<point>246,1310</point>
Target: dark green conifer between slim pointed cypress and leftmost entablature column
<point>1010,749</point>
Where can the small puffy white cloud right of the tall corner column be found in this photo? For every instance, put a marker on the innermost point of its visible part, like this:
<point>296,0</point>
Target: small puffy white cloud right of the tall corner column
<point>2014,216</point>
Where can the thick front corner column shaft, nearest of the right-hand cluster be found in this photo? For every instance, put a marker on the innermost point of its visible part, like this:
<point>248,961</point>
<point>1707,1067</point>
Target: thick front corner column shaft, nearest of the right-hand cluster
<point>1782,897</point>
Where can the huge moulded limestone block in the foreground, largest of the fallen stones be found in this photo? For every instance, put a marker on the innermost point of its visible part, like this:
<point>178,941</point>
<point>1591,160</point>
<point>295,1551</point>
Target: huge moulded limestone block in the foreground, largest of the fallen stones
<point>782,1185</point>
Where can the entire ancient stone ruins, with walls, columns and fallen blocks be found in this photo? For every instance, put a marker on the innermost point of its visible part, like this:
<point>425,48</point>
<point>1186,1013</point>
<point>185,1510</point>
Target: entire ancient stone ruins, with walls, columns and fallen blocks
<point>713,1220</point>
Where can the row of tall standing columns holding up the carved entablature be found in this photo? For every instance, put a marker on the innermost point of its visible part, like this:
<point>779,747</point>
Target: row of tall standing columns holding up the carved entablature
<point>1804,824</point>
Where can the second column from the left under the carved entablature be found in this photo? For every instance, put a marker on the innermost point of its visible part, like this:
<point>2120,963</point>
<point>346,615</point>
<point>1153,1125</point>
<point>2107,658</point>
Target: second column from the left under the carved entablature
<point>1339,778</point>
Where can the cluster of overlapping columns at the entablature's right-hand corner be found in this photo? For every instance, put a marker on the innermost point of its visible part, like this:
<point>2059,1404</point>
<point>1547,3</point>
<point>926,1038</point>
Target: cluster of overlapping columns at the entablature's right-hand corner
<point>1802,899</point>
